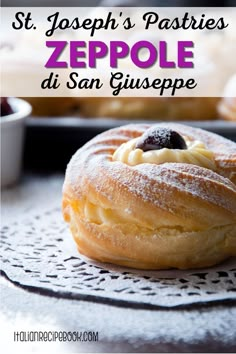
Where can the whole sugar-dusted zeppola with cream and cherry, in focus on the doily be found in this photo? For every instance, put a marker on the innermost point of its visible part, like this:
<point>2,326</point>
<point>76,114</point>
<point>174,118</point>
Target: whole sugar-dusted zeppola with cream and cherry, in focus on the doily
<point>153,197</point>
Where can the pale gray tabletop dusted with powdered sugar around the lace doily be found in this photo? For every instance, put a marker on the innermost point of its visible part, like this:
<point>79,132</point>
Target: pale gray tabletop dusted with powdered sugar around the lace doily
<point>209,328</point>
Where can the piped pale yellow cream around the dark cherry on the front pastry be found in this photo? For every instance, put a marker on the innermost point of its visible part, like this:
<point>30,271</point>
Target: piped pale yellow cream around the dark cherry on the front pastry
<point>196,154</point>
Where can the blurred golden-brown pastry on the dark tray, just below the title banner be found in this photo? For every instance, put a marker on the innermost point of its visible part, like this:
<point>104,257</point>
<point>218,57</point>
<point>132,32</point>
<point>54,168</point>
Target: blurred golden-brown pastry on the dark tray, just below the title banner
<point>203,108</point>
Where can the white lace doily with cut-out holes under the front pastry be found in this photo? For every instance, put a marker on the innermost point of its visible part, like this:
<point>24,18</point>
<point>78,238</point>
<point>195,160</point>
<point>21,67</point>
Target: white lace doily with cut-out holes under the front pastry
<point>38,253</point>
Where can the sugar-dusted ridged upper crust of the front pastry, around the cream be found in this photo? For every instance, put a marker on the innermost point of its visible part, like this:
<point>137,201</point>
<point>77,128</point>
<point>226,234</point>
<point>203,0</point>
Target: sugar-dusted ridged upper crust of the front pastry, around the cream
<point>92,168</point>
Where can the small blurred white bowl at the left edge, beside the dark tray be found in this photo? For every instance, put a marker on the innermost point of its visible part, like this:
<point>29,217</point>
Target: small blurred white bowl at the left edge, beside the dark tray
<point>12,139</point>
